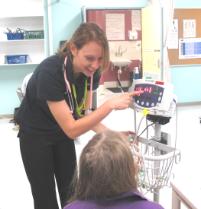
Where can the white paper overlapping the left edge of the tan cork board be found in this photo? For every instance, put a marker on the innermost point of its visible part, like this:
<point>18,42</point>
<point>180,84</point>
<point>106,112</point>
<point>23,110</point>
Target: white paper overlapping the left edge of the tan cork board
<point>172,41</point>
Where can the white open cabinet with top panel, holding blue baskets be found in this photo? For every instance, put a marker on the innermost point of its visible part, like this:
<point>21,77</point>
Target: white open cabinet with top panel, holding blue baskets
<point>26,15</point>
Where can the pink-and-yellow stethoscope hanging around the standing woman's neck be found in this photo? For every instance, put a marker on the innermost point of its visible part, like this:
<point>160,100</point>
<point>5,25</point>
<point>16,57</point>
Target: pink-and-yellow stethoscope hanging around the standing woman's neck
<point>74,105</point>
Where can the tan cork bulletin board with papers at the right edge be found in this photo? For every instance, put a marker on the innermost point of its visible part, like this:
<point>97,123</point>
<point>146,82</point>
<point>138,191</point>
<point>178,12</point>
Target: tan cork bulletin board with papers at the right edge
<point>184,17</point>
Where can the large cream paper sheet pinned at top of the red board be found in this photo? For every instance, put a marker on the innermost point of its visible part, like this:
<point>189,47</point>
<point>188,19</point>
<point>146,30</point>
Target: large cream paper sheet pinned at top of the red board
<point>115,26</point>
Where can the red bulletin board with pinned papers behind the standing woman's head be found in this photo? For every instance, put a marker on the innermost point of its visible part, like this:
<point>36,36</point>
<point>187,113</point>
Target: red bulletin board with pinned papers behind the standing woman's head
<point>123,30</point>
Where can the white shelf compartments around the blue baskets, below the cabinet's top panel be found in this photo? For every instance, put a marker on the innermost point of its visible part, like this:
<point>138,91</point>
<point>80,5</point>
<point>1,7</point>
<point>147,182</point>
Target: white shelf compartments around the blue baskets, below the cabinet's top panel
<point>34,48</point>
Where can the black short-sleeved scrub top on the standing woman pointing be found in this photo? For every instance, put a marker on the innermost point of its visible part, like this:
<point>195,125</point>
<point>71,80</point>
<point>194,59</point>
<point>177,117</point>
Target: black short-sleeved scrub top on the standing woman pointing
<point>47,84</point>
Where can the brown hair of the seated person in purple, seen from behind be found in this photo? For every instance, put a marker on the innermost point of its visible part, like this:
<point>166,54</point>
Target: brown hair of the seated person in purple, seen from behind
<point>106,168</point>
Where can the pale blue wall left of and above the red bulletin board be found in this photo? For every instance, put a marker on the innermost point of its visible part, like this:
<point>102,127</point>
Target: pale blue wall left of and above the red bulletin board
<point>66,15</point>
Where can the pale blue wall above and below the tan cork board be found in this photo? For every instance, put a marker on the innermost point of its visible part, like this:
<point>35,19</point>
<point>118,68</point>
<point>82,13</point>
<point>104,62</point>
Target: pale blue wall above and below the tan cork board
<point>187,79</point>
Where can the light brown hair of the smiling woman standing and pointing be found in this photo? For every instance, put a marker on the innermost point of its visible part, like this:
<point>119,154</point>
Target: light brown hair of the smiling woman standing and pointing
<point>84,34</point>
